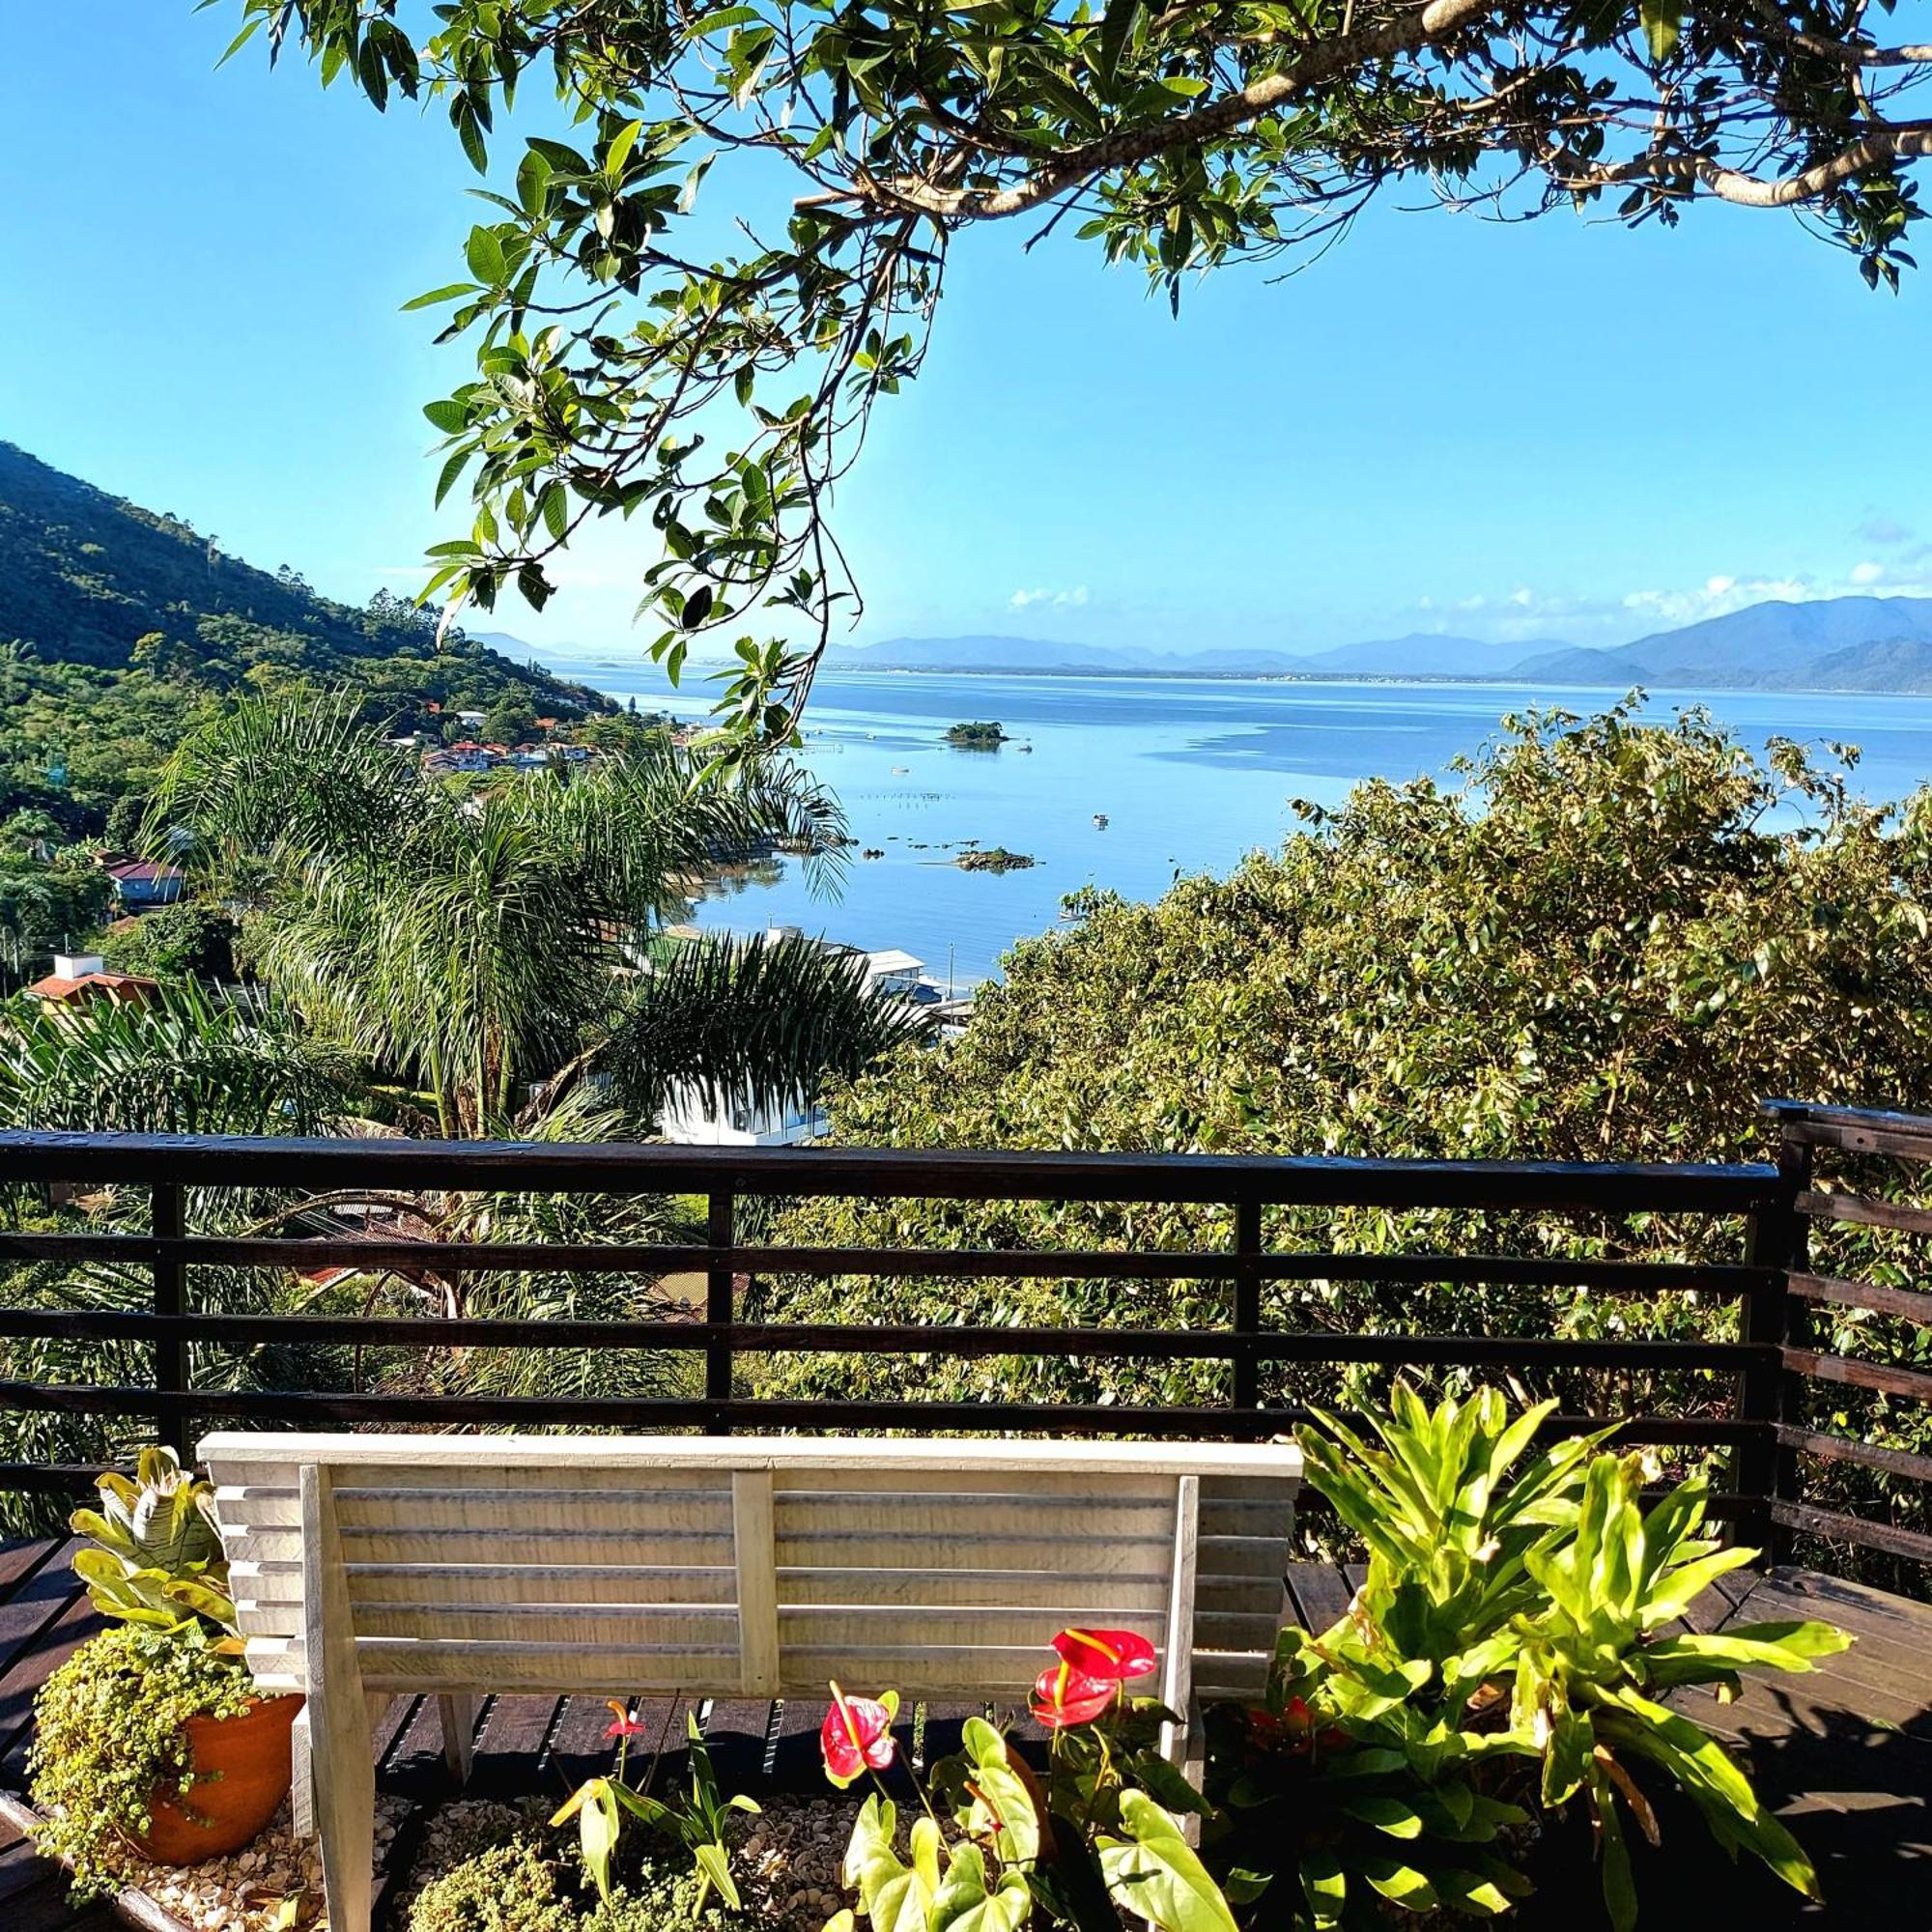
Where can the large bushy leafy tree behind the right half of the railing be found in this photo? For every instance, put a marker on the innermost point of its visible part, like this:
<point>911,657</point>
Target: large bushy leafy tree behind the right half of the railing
<point>1606,940</point>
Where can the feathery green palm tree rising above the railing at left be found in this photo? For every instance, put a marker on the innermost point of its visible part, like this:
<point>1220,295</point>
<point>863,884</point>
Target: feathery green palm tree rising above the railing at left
<point>490,948</point>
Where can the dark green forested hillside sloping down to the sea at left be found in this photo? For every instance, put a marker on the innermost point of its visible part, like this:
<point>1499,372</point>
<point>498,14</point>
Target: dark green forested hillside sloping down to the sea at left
<point>123,629</point>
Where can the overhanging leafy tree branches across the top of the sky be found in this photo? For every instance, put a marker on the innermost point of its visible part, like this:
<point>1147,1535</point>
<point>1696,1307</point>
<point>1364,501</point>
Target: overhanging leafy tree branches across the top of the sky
<point>615,343</point>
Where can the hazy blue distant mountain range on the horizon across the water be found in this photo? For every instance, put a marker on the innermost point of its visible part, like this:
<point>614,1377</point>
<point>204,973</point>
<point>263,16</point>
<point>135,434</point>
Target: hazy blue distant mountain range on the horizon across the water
<point>1863,644</point>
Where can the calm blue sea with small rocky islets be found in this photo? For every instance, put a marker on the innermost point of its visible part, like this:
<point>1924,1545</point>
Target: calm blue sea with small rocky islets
<point>1189,774</point>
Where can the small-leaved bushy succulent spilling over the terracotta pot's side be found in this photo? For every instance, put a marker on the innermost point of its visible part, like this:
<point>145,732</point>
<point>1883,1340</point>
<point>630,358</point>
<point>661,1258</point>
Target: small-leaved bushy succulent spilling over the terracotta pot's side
<point>109,1736</point>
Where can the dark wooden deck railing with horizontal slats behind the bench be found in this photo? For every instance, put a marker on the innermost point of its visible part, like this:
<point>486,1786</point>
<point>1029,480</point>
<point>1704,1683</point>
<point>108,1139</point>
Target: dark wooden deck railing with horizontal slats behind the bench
<point>1757,1218</point>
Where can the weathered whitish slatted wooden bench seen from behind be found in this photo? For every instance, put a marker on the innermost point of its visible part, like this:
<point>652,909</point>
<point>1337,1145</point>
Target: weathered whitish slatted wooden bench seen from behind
<point>370,1566</point>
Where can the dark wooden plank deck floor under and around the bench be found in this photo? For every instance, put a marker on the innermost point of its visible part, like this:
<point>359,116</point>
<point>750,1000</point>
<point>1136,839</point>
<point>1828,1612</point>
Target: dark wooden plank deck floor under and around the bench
<point>1844,1755</point>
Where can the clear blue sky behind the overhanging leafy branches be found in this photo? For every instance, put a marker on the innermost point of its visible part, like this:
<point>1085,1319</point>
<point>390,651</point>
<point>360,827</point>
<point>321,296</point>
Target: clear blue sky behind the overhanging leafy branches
<point>1550,430</point>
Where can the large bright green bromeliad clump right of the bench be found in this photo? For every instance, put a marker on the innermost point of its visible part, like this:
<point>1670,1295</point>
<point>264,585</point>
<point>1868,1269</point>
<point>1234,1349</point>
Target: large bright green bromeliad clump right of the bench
<point>1514,1639</point>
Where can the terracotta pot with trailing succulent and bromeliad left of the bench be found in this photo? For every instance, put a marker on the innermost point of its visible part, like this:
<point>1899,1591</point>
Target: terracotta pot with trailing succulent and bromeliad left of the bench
<point>152,1740</point>
